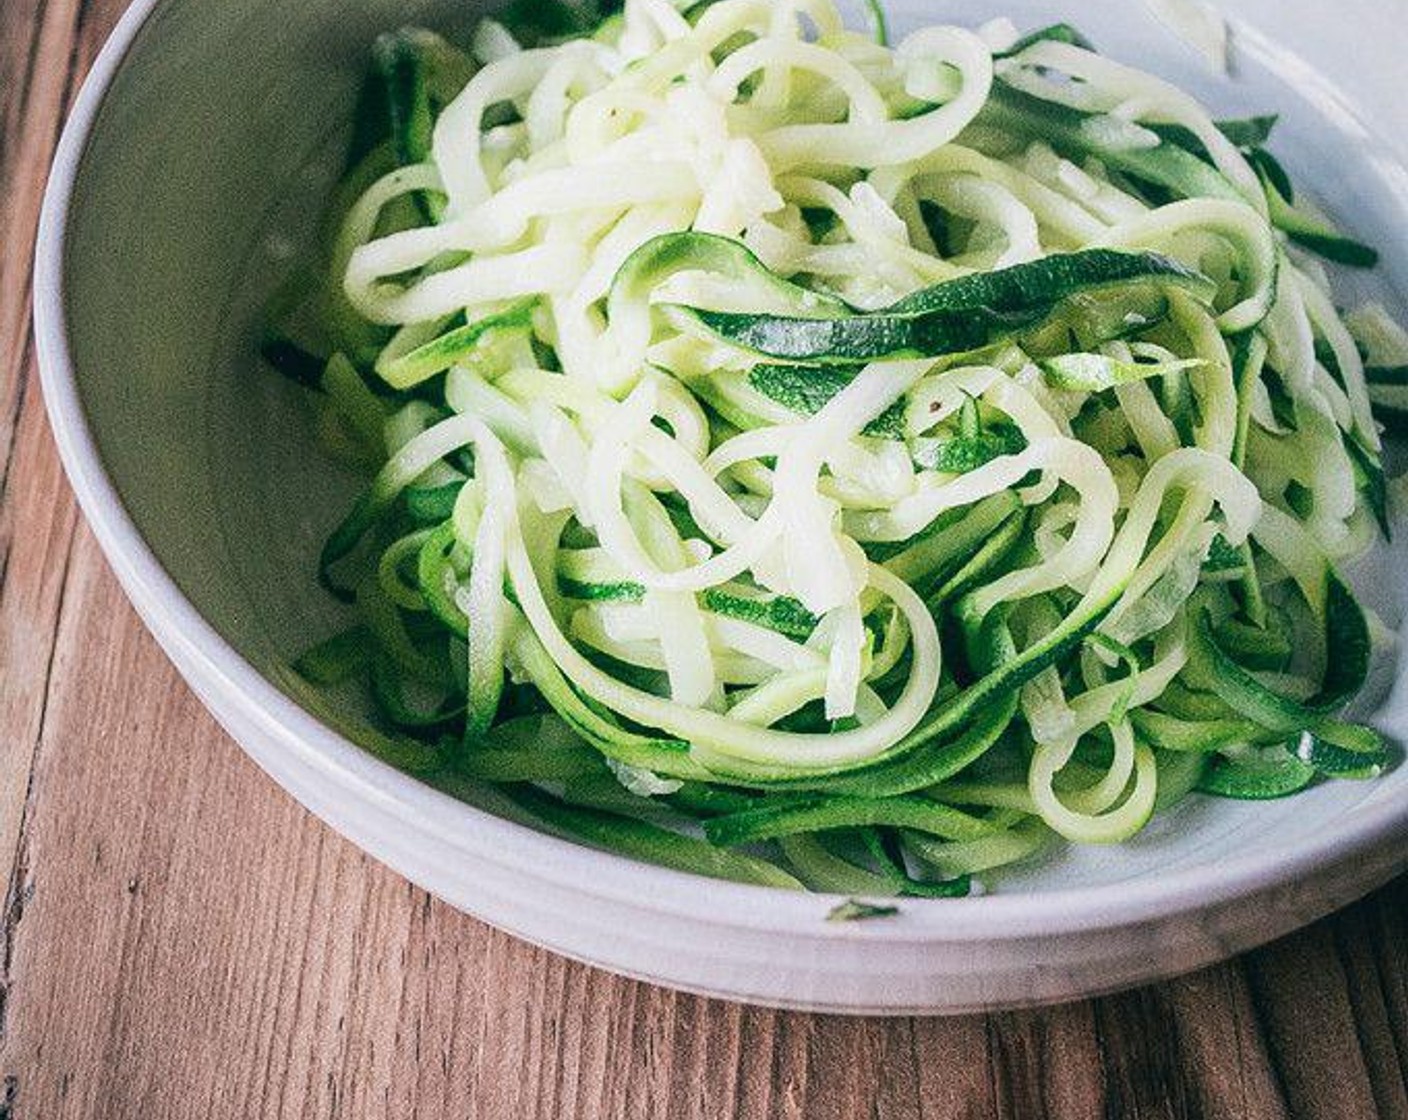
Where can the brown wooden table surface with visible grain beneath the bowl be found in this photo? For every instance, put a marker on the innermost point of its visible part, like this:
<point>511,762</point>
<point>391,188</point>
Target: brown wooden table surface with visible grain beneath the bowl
<point>180,939</point>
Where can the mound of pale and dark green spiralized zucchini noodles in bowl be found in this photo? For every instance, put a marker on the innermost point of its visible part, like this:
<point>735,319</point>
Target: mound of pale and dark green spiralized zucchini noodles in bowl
<point>819,463</point>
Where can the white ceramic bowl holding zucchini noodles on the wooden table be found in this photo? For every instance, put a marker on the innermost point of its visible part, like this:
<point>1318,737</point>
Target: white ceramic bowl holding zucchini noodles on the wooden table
<point>198,157</point>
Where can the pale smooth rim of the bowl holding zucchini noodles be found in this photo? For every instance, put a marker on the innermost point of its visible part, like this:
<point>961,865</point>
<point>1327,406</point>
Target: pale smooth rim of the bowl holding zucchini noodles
<point>354,774</point>
